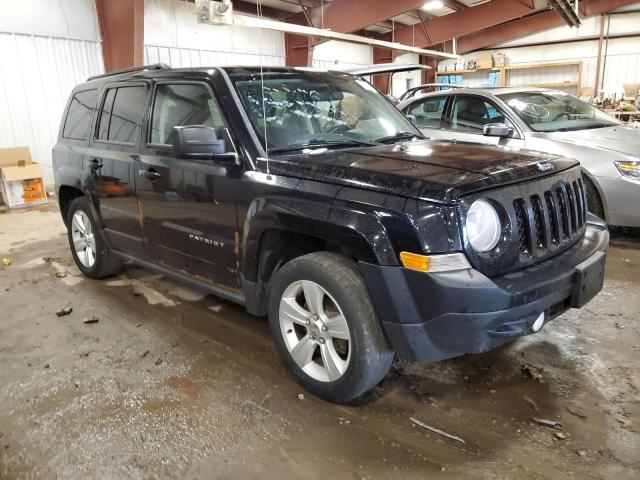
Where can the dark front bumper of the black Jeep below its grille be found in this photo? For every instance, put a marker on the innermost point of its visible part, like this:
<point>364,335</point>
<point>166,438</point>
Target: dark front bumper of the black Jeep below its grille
<point>430,317</point>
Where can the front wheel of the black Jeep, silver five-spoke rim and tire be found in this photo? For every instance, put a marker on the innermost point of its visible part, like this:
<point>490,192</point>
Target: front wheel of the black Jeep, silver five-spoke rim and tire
<point>349,357</point>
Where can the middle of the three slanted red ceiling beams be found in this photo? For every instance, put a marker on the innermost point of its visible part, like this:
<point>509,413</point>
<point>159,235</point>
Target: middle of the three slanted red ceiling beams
<point>455,25</point>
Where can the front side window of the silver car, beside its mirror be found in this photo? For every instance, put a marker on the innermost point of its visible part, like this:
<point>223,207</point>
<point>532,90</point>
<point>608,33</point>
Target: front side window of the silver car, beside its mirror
<point>471,114</point>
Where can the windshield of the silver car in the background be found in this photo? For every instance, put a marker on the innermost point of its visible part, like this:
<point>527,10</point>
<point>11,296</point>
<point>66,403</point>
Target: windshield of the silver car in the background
<point>556,111</point>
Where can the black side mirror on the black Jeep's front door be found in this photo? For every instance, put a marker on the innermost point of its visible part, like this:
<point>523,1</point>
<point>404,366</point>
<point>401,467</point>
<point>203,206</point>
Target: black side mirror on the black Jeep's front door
<point>198,141</point>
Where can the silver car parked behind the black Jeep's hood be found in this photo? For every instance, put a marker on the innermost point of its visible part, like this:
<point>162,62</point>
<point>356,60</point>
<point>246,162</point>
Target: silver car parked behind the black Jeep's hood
<point>548,121</point>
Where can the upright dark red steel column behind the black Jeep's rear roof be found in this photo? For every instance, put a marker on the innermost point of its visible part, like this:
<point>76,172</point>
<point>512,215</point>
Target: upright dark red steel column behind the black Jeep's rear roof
<point>122,30</point>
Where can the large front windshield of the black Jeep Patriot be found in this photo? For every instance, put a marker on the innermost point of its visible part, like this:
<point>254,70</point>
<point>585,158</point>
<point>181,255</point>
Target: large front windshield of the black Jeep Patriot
<point>315,109</point>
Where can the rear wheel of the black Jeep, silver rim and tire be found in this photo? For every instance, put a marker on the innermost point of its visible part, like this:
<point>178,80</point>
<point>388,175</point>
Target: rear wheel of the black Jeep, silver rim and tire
<point>91,242</point>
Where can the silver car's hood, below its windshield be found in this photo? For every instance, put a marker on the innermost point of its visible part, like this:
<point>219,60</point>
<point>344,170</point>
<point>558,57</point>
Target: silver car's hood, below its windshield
<point>620,138</point>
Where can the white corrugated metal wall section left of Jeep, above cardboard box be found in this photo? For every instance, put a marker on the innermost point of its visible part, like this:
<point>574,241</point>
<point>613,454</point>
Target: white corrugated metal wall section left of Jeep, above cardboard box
<point>36,75</point>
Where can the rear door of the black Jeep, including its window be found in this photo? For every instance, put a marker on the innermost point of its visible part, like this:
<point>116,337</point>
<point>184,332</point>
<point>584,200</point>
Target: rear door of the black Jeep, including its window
<point>111,160</point>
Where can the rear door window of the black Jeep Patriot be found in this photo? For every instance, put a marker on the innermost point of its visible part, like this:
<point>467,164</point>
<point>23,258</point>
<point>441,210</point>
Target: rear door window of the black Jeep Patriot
<point>119,119</point>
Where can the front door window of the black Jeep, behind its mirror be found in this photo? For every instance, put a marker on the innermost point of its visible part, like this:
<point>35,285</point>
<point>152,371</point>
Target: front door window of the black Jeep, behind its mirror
<point>180,105</point>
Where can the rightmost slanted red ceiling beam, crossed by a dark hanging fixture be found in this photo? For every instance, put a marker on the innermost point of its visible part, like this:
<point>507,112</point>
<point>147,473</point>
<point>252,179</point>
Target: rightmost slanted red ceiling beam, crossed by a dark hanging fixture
<point>532,24</point>
